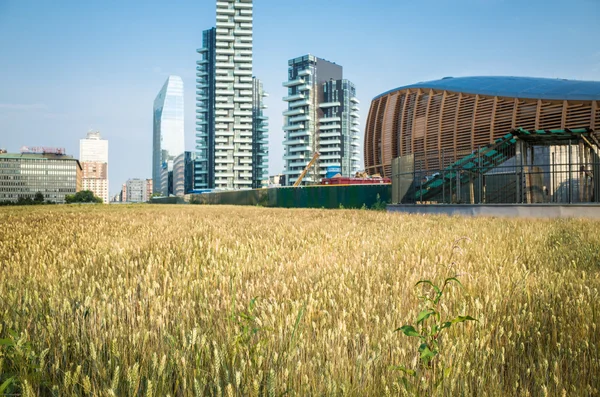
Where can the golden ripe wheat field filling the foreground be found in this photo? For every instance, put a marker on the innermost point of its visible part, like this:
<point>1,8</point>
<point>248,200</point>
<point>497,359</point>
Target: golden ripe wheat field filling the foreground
<point>242,301</point>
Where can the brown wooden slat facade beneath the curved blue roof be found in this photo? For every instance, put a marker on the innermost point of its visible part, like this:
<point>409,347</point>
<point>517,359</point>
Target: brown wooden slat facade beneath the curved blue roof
<point>429,122</point>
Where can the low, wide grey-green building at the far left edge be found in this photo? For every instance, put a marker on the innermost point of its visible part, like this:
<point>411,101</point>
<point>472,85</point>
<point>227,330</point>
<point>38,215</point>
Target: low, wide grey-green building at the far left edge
<point>23,175</point>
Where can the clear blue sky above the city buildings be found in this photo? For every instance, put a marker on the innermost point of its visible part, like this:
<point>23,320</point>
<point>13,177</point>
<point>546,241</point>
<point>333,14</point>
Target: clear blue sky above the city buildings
<point>69,66</point>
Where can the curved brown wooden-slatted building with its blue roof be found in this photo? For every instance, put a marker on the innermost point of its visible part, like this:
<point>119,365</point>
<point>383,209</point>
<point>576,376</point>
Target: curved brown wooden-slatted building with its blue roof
<point>447,117</point>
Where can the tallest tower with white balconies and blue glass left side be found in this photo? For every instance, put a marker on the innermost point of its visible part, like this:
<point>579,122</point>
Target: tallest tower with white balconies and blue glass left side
<point>225,125</point>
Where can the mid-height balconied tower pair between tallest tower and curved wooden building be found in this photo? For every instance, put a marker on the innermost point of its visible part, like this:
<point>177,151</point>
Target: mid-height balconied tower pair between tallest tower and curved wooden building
<point>322,116</point>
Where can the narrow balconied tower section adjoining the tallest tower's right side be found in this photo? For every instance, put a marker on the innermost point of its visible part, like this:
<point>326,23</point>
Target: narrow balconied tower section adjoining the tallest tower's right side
<point>260,136</point>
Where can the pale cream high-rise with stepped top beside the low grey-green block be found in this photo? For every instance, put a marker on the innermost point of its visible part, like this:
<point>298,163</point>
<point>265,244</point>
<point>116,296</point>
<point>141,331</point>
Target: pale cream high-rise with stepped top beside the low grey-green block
<point>93,156</point>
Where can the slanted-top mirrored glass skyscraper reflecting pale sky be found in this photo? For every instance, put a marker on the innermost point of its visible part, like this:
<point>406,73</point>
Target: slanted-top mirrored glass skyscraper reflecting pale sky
<point>168,127</point>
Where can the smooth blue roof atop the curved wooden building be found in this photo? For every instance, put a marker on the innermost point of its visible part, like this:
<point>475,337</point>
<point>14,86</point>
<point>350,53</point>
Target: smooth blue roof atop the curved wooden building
<point>514,87</point>
